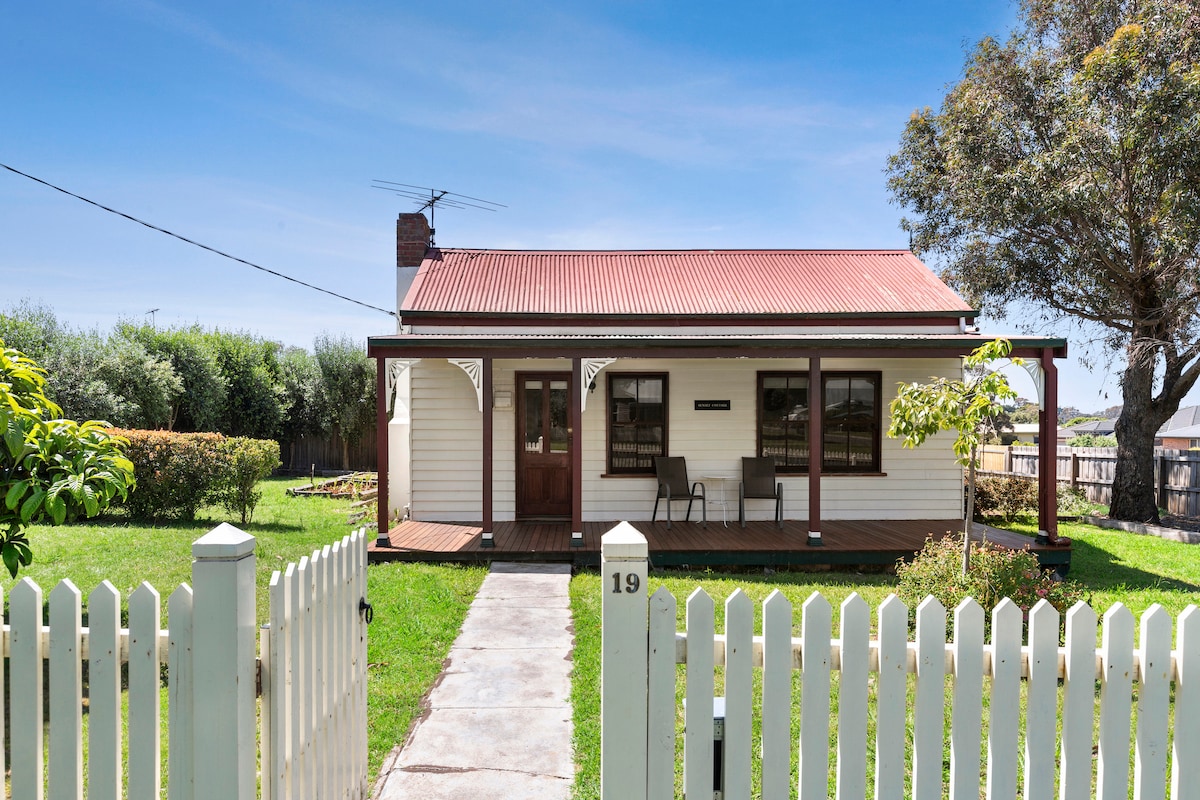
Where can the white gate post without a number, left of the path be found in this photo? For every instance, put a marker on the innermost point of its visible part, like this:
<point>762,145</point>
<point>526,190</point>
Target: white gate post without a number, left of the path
<point>224,658</point>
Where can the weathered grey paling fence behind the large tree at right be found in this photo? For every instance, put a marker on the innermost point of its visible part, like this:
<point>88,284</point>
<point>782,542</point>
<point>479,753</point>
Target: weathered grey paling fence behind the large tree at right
<point>1177,473</point>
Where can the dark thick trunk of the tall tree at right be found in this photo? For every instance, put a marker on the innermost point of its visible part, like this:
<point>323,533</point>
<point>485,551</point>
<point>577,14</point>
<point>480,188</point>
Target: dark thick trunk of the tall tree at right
<point>1133,482</point>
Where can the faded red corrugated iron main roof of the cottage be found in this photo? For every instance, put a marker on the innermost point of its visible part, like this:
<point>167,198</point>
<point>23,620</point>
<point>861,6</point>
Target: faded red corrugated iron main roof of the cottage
<point>590,284</point>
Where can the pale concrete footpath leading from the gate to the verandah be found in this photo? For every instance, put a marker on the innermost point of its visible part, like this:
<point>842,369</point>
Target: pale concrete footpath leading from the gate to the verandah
<point>500,718</point>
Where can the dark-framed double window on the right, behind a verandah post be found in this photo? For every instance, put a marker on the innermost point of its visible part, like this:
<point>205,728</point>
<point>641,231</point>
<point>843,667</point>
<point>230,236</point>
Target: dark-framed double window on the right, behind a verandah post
<point>851,424</point>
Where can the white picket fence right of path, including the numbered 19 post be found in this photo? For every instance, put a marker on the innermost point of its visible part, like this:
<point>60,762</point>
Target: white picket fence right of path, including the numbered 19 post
<point>641,651</point>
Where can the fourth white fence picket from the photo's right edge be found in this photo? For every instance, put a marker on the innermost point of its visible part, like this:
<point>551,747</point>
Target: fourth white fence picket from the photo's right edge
<point>1078,705</point>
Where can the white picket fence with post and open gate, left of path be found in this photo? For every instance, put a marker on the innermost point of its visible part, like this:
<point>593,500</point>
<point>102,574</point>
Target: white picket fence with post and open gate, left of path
<point>313,675</point>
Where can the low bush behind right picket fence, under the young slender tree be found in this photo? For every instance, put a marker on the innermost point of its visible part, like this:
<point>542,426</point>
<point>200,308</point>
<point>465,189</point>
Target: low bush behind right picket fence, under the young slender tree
<point>995,574</point>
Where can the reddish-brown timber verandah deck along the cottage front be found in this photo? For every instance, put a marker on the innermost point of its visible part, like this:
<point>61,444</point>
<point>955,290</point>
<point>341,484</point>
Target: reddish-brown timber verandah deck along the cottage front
<point>761,544</point>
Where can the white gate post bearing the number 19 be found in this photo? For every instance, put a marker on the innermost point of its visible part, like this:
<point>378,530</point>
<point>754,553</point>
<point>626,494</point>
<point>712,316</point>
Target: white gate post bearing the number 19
<point>623,664</point>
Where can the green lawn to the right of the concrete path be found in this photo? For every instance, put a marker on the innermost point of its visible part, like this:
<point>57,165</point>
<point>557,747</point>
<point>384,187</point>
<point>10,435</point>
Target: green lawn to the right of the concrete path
<point>1113,567</point>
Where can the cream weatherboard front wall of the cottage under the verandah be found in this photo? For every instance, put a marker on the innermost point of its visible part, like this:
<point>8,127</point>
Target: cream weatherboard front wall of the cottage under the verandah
<point>448,470</point>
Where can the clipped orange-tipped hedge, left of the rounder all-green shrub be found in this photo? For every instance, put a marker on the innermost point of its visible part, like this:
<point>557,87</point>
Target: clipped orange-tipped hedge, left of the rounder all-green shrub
<point>177,473</point>
